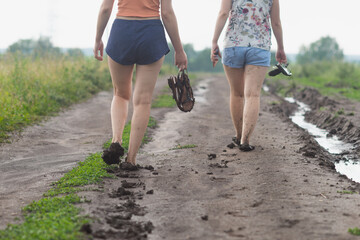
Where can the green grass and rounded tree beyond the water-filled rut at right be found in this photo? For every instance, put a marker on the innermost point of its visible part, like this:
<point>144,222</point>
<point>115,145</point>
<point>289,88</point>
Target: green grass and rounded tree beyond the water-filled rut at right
<point>321,65</point>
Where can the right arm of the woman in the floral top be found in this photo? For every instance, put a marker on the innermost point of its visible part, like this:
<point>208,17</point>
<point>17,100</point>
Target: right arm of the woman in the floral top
<point>277,29</point>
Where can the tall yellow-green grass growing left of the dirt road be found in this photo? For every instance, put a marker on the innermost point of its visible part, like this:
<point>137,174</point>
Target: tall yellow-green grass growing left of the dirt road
<point>31,89</point>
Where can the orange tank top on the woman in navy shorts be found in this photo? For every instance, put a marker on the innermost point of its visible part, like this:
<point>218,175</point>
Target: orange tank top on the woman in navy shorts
<point>138,8</point>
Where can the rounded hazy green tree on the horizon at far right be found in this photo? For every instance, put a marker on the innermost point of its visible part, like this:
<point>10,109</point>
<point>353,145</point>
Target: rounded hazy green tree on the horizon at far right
<point>325,49</point>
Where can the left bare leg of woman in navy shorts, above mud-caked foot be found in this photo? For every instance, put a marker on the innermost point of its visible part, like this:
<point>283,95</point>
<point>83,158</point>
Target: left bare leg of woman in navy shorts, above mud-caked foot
<point>121,76</point>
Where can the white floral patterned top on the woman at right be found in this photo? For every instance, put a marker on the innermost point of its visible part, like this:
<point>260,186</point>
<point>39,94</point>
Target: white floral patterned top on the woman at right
<point>249,24</point>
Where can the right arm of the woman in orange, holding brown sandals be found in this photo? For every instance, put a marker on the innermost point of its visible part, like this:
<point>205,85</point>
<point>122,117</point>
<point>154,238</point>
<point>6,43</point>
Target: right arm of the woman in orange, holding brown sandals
<point>171,26</point>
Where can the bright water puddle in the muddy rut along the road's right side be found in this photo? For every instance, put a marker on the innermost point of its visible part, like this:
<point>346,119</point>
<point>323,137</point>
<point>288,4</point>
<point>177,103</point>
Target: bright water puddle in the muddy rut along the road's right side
<point>345,165</point>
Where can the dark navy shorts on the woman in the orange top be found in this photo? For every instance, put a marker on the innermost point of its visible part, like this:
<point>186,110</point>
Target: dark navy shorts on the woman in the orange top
<point>137,41</point>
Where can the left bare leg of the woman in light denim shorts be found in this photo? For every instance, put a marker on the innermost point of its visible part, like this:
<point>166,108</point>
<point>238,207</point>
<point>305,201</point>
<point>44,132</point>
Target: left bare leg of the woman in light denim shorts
<point>235,77</point>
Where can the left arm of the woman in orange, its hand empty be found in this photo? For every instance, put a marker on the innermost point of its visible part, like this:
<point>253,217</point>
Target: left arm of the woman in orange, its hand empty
<point>103,18</point>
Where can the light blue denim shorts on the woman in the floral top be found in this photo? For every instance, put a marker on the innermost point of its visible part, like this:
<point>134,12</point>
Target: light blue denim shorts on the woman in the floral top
<point>238,57</point>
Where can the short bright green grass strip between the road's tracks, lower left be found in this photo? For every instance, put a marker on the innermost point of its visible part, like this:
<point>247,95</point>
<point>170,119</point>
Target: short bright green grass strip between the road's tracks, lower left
<point>56,215</point>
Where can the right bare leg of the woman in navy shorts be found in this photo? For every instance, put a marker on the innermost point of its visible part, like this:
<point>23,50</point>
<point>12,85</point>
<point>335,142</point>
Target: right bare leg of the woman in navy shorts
<point>146,76</point>
